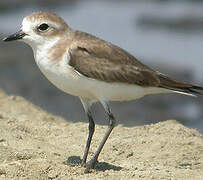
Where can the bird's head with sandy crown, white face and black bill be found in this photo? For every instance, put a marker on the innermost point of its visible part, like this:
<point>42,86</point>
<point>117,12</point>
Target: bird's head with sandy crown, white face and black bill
<point>40,28</point>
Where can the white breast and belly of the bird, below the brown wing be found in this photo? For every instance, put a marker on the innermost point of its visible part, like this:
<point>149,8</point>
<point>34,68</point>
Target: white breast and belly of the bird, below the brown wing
<point>68,80</point>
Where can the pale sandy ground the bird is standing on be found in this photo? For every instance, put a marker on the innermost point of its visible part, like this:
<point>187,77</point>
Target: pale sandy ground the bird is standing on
<point>37,145</point>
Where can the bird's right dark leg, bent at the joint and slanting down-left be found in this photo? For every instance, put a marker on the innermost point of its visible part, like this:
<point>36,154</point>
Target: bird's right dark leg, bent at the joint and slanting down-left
<point>111,125</point>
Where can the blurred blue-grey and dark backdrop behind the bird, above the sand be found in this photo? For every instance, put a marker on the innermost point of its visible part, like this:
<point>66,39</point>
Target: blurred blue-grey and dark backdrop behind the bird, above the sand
<point>164,34</point>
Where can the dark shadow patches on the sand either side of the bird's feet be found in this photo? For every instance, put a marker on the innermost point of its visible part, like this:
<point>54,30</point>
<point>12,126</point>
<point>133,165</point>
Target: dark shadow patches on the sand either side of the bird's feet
<point>100,166</point>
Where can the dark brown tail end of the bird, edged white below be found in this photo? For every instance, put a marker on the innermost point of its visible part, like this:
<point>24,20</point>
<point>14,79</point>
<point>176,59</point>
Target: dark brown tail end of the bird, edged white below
<point>179,87</point>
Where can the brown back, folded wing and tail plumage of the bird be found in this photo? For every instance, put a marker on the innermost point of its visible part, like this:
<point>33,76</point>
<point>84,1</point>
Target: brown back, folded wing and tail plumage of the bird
<point>98,59</point>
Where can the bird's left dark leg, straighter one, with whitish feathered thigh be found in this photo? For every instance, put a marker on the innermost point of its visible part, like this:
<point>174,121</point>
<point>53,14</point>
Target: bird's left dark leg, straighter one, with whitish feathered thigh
<point>86,105</point>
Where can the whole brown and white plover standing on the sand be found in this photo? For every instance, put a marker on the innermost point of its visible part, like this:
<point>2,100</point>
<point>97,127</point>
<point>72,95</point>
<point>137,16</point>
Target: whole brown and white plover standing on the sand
<point>92,69</point>
